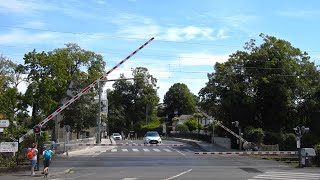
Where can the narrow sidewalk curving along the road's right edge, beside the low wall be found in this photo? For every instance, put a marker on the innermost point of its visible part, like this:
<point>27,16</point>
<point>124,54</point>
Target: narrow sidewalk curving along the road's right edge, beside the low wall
<point>204,146</point>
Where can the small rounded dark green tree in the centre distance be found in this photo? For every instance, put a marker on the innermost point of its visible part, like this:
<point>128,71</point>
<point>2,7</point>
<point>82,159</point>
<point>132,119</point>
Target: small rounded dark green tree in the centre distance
<point>179,99</point>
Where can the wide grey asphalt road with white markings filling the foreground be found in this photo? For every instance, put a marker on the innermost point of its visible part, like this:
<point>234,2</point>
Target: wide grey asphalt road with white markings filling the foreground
<point>166,162</point>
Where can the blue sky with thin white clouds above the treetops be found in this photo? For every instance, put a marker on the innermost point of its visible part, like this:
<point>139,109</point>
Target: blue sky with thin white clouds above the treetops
<point>190,35</point>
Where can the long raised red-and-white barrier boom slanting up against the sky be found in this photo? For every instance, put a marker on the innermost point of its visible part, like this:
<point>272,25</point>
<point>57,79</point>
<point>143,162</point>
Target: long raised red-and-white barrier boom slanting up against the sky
<point>58,111</point>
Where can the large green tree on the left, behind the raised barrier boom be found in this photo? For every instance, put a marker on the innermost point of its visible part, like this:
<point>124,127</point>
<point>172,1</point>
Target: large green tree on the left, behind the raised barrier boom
<point>51,73</point>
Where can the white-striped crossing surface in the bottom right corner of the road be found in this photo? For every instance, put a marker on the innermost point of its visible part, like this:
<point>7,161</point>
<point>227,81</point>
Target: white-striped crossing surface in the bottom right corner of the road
<point>286,175</point>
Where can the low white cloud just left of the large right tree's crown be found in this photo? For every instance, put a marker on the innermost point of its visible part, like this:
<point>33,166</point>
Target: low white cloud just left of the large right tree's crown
<point>200,59</point>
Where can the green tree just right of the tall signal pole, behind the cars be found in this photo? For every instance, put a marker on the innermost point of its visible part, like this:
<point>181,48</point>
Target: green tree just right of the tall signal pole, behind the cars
<point>132,103</point>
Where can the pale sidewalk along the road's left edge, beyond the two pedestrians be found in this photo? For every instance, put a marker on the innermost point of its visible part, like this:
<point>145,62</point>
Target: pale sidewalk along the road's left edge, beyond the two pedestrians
<point>90,150</point>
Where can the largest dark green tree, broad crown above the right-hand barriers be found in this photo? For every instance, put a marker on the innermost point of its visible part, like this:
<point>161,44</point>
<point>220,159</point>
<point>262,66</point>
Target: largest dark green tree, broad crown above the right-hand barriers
<point>263,86</point>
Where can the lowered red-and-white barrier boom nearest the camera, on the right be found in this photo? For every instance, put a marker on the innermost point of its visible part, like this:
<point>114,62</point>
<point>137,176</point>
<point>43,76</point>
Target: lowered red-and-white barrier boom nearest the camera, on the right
<point>248,153</point>
